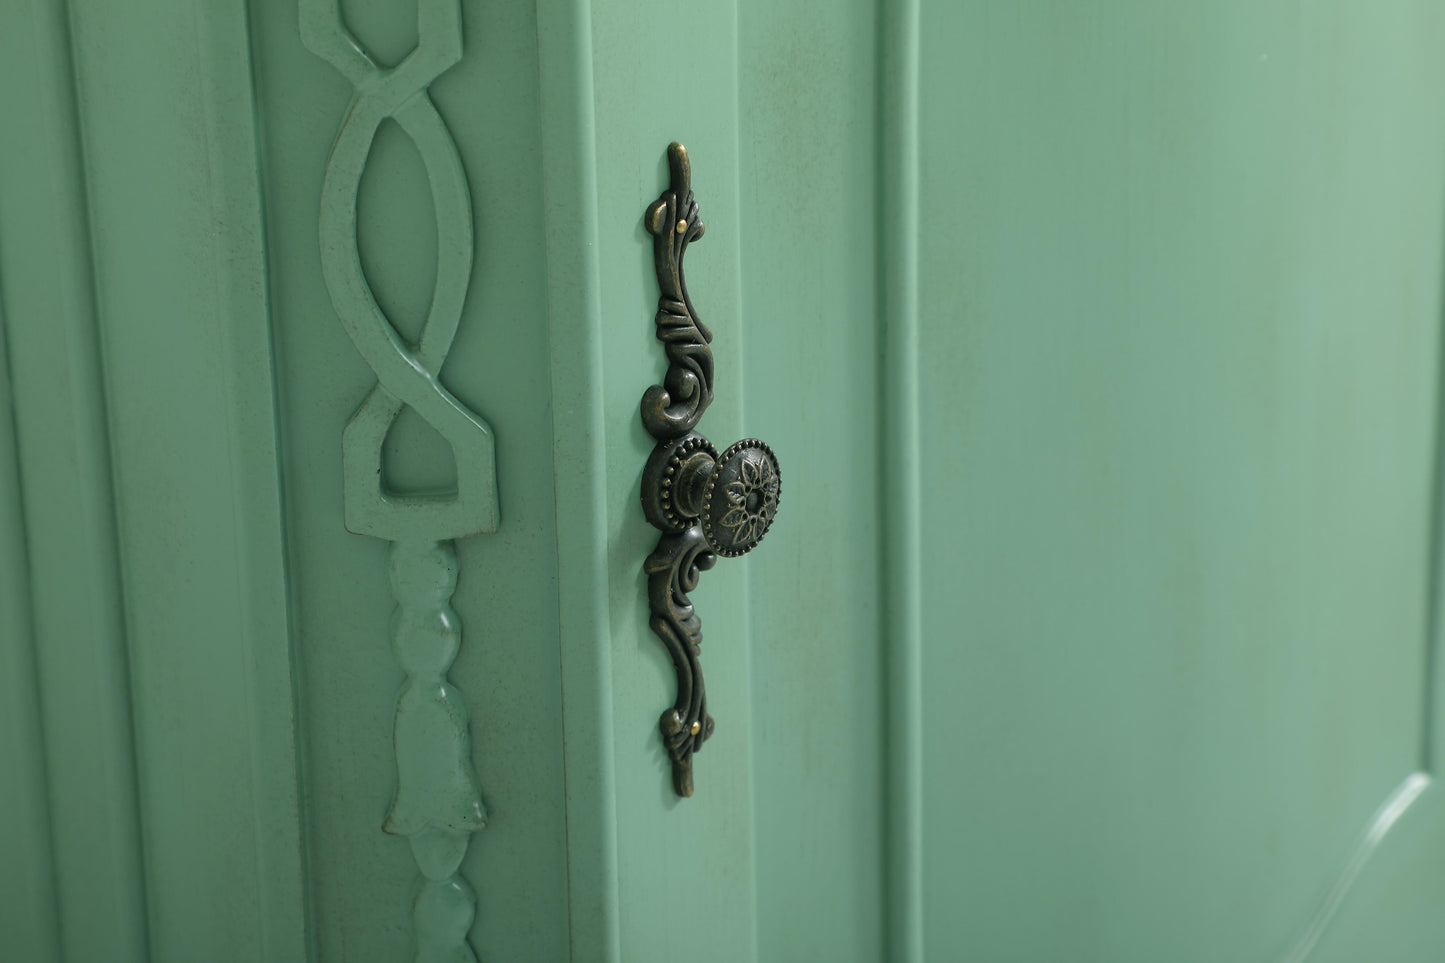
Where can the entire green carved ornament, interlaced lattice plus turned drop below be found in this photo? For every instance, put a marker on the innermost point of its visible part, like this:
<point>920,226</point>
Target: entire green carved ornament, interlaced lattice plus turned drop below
<point>439,803</point>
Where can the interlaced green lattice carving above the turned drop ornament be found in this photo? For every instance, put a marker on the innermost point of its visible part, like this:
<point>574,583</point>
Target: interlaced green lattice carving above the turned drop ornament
<point>407,375</point>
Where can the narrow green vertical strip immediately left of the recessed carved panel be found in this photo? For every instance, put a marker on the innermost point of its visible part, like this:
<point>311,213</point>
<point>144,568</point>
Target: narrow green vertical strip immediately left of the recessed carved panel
<point>264,583</point>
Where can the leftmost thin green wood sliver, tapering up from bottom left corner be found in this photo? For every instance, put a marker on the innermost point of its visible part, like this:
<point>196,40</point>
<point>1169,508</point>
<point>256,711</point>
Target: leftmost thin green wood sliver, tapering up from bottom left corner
<point>28,849</point>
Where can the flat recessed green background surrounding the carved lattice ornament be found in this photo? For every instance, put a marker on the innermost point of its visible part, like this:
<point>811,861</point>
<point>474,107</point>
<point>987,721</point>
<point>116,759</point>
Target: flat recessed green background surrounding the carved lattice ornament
<point>506,596</point>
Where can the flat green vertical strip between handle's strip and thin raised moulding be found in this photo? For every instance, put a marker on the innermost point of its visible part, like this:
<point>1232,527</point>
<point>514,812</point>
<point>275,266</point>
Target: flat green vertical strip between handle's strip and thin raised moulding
<point>810,167</point>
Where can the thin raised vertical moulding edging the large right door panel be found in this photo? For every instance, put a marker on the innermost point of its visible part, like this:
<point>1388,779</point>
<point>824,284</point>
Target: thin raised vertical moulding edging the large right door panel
<point>902,510</point>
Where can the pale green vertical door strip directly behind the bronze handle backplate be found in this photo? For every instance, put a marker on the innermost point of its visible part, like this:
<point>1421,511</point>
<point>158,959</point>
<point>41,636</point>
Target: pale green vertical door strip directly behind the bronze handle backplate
<point>678,860</point>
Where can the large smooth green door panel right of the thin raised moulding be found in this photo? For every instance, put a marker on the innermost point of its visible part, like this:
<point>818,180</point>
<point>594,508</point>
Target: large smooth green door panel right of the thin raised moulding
<point>1181,323</point>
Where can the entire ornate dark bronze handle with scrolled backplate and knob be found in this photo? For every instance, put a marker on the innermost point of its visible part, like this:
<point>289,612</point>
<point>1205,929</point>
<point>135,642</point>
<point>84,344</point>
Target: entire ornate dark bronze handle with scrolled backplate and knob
<point>703,502</point>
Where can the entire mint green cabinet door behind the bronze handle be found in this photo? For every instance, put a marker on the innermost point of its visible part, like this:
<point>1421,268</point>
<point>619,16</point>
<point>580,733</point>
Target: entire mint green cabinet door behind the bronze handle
<point>1100,348</point>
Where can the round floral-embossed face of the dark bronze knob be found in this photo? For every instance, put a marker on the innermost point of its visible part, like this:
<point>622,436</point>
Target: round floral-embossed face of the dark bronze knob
<point>741,498</point>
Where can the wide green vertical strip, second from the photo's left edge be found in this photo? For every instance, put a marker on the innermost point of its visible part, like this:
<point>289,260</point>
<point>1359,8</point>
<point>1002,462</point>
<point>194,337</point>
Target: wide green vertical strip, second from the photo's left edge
<point>69,505</point>
